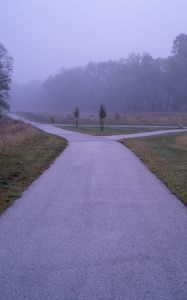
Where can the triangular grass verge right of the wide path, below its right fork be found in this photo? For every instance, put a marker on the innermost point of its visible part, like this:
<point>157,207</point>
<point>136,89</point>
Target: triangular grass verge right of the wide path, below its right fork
<point>166,156</point>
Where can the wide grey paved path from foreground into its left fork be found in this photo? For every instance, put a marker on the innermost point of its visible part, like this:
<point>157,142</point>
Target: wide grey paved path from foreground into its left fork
<point>96,225</point>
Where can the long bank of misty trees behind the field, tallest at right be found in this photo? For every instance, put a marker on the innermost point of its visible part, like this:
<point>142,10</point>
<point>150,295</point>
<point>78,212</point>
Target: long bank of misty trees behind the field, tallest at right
<point>139,83</point>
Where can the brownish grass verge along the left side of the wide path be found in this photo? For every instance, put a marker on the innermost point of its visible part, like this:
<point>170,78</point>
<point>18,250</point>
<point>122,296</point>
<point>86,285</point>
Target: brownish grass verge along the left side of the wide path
<point>25,152</point>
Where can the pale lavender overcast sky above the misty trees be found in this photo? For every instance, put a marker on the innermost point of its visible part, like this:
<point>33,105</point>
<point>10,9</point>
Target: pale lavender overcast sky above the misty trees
<point>45,35</point>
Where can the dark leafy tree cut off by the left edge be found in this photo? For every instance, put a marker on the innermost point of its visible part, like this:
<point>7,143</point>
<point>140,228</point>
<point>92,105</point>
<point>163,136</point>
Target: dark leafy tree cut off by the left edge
<point>5,76</point>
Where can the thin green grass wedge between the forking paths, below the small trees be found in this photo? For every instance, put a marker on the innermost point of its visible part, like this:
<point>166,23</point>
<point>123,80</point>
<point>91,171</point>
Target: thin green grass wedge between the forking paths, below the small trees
<point>111,130</point>
